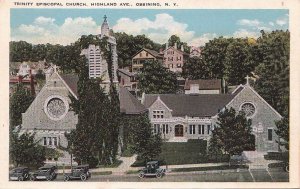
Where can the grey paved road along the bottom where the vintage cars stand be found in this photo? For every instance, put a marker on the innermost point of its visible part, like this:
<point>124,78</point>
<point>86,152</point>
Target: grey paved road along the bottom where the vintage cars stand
<point>271,175</point>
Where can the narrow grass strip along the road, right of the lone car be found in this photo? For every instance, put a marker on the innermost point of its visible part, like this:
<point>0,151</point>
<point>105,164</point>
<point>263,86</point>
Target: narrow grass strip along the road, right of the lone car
<point>222,167</point>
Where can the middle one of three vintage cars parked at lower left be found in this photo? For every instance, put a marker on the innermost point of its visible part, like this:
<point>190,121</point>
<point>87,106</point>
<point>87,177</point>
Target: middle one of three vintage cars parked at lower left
<point>44,173</point>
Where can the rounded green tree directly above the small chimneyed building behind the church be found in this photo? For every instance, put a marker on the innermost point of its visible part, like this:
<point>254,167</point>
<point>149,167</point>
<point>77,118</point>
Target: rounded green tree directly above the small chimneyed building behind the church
<point>195,68</point>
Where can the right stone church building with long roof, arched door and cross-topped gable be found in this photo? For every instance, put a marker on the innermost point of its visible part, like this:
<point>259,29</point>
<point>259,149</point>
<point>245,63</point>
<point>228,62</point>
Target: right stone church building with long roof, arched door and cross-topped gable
<point>179,117</point>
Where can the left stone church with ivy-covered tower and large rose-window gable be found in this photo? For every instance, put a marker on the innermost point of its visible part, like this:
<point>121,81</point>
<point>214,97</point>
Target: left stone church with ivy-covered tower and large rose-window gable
<point>50,117</point>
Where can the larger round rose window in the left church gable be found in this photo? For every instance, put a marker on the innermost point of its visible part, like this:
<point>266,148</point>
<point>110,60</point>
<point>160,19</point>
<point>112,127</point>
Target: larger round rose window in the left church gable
<point>56,108</point>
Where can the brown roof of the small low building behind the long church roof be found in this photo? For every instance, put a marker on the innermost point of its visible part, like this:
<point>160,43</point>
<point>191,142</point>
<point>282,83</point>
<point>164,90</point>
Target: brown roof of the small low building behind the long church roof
<point>204,84</point>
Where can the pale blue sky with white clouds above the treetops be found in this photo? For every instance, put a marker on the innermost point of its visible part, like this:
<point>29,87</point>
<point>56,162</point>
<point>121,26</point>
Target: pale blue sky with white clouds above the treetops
<point>194,26</point>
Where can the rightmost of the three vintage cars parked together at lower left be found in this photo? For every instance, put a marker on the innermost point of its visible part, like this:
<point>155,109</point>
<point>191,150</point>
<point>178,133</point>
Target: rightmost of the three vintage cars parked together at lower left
<point>78,172</point>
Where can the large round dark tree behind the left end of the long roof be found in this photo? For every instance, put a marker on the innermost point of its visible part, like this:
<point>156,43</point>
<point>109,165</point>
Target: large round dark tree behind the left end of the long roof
<point>156,79</point>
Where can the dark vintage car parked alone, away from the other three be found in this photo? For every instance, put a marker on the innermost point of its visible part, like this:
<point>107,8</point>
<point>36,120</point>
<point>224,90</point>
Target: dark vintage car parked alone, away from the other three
<point>152,169</point>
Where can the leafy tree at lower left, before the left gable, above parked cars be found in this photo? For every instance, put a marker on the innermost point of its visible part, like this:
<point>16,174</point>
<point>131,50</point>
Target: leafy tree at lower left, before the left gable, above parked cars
<point>24,150</point>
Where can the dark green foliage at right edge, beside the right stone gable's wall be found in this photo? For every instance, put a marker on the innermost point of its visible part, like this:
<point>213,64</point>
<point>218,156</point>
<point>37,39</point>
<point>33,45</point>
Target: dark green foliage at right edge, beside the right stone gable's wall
<point>283,132</point>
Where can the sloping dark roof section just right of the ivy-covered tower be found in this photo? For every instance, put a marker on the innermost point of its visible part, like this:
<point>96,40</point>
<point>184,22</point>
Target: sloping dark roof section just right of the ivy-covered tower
<point>129,104</point>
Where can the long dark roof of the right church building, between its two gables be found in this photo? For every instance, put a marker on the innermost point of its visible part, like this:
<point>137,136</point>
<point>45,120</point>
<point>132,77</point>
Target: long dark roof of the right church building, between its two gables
<point>201,105</point>
